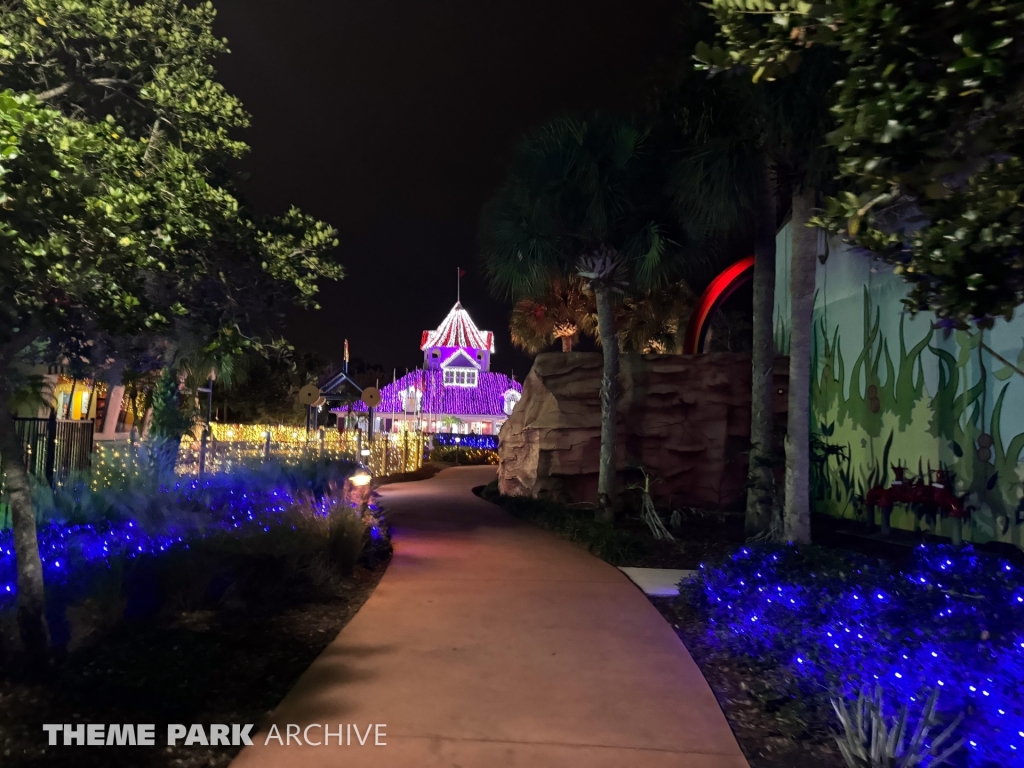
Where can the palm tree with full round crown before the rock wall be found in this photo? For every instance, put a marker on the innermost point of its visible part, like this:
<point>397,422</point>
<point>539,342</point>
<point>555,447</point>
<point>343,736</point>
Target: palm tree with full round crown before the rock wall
<point>585,197</point>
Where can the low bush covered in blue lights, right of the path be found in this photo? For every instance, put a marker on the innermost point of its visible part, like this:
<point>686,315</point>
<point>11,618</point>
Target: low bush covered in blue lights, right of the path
<point>829,621</point>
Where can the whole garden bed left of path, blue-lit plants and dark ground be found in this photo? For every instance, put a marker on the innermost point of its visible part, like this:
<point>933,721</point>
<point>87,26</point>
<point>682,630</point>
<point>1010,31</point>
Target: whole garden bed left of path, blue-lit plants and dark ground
<point>172,601</point>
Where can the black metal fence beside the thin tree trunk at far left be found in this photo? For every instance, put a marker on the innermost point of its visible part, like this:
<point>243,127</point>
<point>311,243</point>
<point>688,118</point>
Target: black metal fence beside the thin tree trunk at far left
<point>56,449</point>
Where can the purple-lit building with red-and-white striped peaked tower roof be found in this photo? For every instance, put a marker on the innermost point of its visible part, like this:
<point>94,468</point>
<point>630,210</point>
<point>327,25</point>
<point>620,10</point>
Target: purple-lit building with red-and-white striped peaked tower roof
<point>456,391</point>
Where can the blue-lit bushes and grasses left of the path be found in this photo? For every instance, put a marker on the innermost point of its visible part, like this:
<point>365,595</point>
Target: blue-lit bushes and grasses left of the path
<point>234,540</point>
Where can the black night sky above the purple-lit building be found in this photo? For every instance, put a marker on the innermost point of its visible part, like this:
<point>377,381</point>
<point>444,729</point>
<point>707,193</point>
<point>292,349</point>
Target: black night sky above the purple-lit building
<point>395,120</point>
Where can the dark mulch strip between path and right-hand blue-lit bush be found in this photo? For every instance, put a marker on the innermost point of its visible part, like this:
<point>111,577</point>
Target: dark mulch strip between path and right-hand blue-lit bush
<point>773,734</point>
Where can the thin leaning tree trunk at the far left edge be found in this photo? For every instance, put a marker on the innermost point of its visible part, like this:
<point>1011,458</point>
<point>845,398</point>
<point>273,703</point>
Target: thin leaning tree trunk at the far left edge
<point>31,598</point>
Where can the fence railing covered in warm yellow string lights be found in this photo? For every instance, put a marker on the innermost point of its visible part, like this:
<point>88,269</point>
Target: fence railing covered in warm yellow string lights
<point>235,445</point>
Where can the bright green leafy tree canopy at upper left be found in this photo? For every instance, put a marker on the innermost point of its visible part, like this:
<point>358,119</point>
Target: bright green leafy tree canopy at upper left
<point>120,219</point>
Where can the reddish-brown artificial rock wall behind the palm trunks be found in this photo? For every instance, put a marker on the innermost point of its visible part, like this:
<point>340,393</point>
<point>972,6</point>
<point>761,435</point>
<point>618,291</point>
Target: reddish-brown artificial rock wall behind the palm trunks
<point>686,417</point>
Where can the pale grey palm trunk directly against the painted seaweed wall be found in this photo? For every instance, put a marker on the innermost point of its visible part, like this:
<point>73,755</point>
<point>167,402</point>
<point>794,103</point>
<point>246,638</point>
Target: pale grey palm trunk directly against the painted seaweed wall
<point>797,520</point>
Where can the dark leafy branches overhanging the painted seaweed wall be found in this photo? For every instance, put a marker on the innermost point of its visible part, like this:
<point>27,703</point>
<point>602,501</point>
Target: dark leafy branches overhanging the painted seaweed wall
<point>929,126</point>
